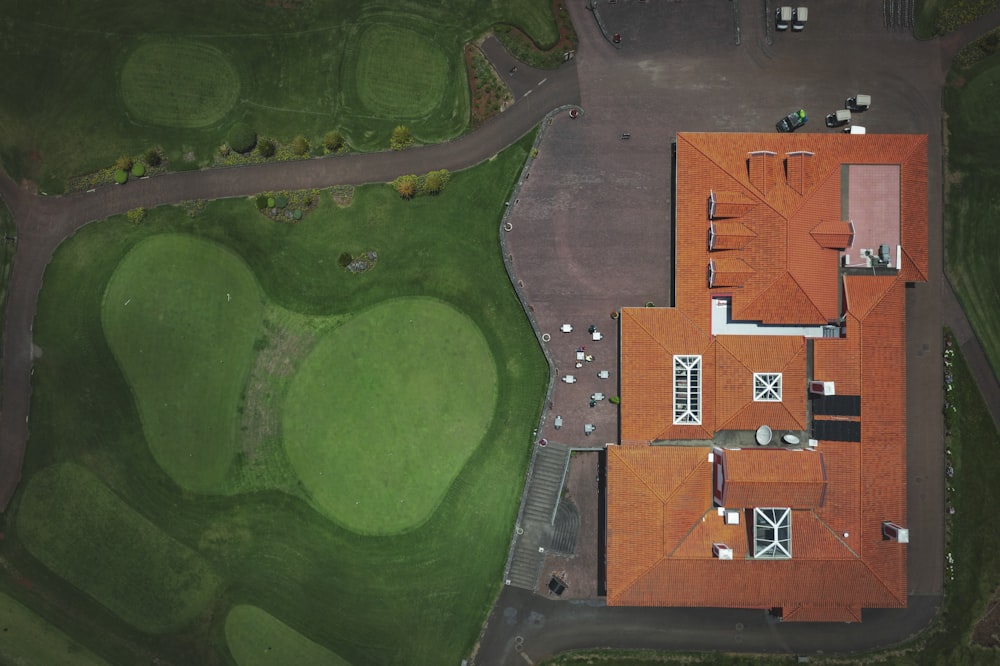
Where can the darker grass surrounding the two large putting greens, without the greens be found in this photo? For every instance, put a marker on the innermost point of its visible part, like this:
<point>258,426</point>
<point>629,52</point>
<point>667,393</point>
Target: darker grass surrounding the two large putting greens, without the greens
<point>418,597</point>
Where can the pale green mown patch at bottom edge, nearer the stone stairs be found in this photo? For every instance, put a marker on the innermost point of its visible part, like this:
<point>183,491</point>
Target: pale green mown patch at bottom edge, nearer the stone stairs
<point>255,638</point>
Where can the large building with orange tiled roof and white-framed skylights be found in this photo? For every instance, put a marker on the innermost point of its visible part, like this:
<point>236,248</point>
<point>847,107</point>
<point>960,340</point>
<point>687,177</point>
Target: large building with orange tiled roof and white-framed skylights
<point>762,461</point>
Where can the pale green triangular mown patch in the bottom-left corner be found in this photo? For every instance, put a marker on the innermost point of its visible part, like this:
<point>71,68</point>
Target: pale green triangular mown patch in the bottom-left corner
<point>28,640</point>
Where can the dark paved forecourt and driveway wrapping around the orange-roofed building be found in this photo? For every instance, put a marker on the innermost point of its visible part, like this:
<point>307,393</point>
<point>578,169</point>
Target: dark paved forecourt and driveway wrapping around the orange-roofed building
<point>591,233</point>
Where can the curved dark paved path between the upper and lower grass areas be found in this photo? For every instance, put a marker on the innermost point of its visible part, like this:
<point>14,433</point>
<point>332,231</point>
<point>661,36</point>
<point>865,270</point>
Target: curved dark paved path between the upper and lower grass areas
<point>43,223</point>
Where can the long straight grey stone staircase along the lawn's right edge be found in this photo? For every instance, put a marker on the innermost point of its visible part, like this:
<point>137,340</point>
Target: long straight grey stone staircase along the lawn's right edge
<point>538,510</point>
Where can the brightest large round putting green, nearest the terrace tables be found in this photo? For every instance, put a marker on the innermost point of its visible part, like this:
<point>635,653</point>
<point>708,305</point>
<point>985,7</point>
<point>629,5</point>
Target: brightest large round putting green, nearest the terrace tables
<point>386,410</point>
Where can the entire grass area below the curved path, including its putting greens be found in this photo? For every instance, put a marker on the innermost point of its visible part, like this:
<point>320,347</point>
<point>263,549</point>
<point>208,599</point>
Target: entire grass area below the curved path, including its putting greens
<point>235,440</point>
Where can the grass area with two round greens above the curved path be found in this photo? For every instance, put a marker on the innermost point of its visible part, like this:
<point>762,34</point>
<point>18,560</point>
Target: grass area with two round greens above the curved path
<point>84,84</point>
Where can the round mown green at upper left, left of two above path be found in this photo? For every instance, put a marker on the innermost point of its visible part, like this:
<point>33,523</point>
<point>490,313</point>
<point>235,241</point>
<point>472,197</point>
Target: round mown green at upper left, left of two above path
<point>178,83</point>
